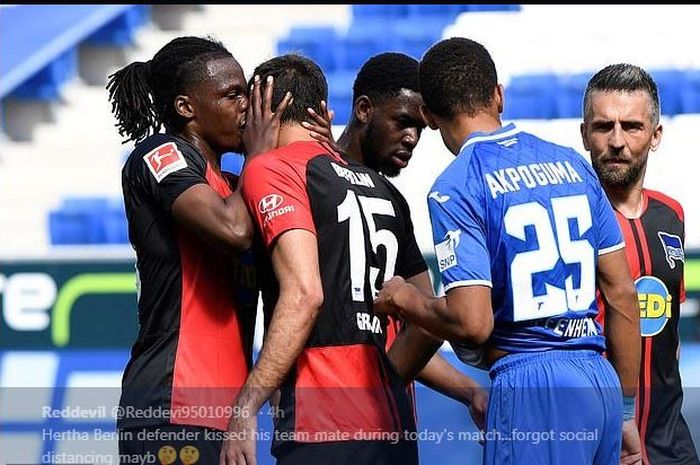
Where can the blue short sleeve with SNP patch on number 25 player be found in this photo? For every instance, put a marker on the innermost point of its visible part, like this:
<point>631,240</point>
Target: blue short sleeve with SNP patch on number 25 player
<point>459,235</point>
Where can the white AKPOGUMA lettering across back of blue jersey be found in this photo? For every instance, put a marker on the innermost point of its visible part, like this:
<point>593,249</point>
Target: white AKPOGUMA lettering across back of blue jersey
<point>530,176</point>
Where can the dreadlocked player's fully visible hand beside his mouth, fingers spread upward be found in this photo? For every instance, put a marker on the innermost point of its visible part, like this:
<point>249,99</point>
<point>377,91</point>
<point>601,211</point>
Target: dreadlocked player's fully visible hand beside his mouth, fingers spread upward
<point>262,128</point>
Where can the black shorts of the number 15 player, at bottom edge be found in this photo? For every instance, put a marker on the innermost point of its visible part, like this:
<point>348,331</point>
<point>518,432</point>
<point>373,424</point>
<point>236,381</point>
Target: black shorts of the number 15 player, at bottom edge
<point>349,453</point>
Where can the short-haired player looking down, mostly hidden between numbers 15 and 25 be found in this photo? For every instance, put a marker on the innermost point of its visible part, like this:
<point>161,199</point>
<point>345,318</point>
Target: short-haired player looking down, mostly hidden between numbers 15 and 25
<point>384,129</point>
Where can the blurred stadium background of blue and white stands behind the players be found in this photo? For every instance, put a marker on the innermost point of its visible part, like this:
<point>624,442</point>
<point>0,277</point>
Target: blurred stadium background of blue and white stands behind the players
<point>67,286</point>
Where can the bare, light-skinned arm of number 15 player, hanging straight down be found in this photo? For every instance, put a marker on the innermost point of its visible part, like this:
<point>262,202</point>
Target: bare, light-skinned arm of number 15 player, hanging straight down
<point>295,260</point>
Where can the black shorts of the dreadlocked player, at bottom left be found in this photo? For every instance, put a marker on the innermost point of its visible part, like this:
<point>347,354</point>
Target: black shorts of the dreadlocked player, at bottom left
<point>169,444</point>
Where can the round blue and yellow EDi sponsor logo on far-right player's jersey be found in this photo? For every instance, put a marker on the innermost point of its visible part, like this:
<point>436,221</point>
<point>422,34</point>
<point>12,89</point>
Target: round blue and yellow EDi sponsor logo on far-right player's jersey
<point>654,304</point>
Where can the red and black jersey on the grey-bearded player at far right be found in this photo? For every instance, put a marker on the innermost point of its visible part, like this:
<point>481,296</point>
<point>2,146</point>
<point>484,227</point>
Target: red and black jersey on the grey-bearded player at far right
<point>654,245</point>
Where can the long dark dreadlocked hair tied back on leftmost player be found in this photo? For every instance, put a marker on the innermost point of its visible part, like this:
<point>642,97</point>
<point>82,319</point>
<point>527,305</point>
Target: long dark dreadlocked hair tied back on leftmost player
<point>143,94</point>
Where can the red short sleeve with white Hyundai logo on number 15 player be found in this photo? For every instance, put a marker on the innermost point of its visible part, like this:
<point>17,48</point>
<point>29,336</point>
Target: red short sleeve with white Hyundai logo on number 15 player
<point>274,190</point>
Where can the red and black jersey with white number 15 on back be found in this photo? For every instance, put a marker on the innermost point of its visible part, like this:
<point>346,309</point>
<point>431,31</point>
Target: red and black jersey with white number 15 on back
<point>343,386</point>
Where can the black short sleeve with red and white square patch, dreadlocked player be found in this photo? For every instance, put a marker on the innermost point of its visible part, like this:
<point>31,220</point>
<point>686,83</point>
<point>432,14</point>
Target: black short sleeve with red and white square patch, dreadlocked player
<point>170,169</point>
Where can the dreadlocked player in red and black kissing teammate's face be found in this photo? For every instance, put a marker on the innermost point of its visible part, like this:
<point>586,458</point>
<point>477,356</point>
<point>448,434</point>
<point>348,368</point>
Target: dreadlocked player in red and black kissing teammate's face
<point>194,347</point>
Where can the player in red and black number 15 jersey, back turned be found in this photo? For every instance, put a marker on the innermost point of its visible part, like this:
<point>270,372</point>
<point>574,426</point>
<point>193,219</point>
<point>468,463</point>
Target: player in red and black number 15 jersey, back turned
<point>334,230</point>
